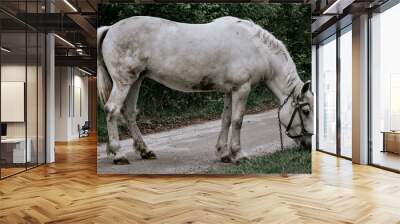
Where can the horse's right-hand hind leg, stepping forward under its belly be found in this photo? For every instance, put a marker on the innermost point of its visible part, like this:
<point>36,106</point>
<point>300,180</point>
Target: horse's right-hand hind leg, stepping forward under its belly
<point>130,112</point>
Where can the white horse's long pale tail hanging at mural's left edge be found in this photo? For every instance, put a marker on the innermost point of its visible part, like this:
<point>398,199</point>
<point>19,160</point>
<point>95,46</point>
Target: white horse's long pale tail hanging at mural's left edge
<point>104,82</point>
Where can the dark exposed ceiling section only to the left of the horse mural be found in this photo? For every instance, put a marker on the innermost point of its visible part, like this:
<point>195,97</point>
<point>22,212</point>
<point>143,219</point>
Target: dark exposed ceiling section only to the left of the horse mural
<point>74,22</point>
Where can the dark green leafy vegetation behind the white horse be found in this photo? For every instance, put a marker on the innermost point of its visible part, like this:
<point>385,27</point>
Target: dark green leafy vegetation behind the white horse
<point>158,104</point>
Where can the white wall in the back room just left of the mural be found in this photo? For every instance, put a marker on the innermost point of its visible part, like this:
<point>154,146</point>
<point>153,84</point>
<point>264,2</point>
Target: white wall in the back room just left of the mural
<point>70,83</point>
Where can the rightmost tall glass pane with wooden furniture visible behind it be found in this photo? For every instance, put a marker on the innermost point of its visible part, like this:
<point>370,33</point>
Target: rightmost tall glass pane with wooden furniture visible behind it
<point>385,89</point>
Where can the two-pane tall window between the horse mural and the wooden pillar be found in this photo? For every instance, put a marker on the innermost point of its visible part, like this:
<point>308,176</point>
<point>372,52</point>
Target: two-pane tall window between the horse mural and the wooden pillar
<point>334,106</point>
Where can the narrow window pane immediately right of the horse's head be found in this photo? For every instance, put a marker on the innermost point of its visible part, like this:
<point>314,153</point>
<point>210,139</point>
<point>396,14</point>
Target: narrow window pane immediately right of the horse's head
<point>327,95</point>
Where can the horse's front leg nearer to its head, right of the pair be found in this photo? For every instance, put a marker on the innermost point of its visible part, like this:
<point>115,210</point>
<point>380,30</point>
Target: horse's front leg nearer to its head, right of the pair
<point>239,99</point>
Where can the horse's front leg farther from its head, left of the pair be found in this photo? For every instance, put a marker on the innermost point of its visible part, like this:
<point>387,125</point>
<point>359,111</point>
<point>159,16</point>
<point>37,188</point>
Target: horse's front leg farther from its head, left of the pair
<point>222,150</point>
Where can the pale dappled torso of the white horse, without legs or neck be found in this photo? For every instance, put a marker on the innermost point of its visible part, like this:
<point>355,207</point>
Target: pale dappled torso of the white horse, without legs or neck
<point>190,57</point>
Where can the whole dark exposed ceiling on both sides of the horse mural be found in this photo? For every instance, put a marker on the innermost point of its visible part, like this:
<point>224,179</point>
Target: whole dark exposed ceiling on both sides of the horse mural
<point>75,21</point>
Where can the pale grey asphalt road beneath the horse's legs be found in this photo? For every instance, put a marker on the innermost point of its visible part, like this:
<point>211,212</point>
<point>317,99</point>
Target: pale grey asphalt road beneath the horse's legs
<point>191,150</point>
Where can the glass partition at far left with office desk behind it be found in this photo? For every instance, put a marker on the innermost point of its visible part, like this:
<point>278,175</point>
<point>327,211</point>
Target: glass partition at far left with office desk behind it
<point>22,101</point>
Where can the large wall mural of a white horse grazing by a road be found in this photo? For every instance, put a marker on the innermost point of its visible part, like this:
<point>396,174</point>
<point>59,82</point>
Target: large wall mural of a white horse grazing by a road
<point>166,72</point>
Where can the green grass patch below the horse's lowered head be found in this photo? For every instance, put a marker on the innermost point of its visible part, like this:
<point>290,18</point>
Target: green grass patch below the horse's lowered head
<point>292,160</point>
